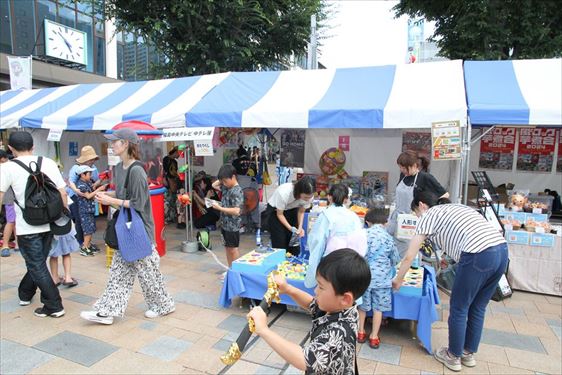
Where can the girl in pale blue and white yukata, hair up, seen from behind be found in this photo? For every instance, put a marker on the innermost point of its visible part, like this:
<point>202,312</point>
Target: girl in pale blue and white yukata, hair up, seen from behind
<point>336,228</point>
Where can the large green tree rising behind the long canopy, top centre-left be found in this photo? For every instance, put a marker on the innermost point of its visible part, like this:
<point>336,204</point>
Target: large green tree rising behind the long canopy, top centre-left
<point>210,36</point>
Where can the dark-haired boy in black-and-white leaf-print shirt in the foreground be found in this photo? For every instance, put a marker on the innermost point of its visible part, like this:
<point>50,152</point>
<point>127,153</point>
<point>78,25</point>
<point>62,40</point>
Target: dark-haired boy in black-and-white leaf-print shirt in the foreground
<point>342,276</point>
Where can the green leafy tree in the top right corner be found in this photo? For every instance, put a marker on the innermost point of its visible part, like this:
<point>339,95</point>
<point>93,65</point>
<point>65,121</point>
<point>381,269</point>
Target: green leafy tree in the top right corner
<point>491,29</point>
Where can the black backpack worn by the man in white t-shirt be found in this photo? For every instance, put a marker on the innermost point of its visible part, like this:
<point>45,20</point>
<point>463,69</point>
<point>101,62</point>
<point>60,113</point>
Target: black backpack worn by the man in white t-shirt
<point>43,202</point>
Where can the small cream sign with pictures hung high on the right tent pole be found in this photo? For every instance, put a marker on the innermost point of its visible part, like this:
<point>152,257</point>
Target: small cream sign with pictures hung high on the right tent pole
<point>446,140</point>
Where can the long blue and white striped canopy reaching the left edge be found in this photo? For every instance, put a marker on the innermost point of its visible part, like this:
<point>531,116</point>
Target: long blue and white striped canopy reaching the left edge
<point>401,96</point>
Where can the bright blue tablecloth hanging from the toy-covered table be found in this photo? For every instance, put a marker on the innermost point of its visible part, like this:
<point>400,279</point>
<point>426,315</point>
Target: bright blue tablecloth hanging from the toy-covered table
<point>421,309</point>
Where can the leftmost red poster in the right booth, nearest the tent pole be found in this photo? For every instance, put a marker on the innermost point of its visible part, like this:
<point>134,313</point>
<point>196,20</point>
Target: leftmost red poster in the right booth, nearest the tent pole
<point>497,149</point>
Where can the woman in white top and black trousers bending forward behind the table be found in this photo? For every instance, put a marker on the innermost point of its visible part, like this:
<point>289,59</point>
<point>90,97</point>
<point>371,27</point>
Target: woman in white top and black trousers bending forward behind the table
<point>287,206</point>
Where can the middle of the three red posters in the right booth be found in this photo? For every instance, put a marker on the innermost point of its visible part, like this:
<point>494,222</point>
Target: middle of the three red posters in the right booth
<point>536,149</point>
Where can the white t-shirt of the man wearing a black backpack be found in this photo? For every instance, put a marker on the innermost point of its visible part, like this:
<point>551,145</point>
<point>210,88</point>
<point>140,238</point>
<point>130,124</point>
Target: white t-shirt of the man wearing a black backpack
<point>12,174</point>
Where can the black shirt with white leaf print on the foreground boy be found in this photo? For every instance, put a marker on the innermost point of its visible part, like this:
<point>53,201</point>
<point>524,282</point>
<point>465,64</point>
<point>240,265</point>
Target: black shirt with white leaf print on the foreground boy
<point>331,349</point>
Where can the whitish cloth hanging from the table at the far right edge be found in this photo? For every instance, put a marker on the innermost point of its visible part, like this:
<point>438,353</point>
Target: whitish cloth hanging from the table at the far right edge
<point>536,269</point>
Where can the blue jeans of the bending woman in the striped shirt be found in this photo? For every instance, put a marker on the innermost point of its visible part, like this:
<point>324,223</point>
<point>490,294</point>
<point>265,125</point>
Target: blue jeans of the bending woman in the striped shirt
<point>475,282</point>
